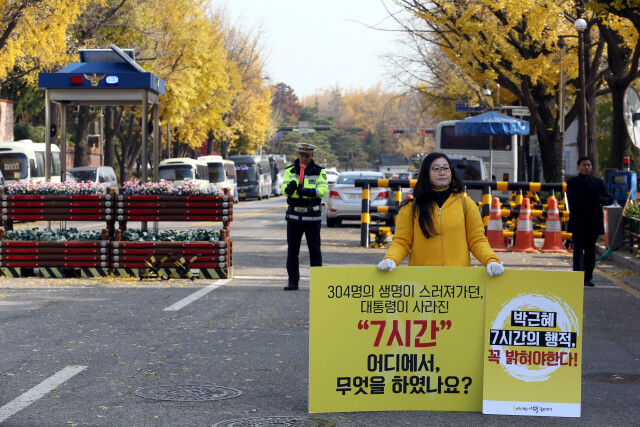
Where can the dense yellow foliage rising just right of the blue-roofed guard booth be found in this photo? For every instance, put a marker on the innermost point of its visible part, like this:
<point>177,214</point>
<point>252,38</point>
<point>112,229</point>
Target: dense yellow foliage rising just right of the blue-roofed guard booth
<point>187,43</point>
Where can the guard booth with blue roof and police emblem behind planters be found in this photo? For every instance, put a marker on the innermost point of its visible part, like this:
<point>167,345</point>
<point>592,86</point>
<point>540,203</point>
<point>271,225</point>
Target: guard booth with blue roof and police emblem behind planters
<point>103,77</point>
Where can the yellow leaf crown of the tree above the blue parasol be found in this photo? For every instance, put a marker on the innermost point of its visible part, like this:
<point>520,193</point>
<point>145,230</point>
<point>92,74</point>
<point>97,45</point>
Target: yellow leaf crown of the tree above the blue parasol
<point>481,38</point>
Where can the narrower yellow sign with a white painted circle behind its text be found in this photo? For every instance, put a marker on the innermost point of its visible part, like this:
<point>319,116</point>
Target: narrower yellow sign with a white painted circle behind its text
<point>533,343</point>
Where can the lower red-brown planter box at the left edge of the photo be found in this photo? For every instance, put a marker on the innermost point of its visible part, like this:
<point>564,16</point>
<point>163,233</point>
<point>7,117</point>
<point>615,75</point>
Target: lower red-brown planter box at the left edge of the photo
<point>90,257</point>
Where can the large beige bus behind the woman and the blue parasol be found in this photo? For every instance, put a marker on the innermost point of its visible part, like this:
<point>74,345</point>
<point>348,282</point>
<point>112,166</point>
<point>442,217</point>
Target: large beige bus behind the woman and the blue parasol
<point>504,147</point>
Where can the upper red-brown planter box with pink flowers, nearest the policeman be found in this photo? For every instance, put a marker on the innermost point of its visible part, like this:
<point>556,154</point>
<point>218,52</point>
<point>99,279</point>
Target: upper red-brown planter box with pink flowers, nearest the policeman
<point>174,208</point>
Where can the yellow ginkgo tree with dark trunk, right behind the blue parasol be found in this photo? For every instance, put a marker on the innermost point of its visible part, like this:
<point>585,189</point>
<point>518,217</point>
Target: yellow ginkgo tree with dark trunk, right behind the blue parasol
<point>512,43</point>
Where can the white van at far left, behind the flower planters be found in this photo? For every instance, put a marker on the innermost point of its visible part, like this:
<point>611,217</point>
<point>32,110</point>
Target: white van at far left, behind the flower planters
<point>24,160</point>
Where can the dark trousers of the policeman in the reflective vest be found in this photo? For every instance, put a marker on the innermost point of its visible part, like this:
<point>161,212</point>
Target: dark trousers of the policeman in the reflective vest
<point>295,230</point>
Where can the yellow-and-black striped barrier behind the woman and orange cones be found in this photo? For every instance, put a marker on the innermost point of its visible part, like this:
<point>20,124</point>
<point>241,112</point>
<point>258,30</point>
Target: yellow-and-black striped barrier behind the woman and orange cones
<point>485,205</point>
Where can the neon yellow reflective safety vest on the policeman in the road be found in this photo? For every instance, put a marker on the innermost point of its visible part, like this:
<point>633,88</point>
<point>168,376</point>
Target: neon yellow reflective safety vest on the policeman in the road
<point>305,208</point>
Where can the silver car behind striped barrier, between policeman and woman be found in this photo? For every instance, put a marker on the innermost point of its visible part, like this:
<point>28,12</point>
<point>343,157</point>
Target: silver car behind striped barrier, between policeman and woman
<point>345,199</point>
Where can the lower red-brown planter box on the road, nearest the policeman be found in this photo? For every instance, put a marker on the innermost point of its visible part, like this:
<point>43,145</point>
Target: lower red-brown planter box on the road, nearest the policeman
<point>172,259</point>
